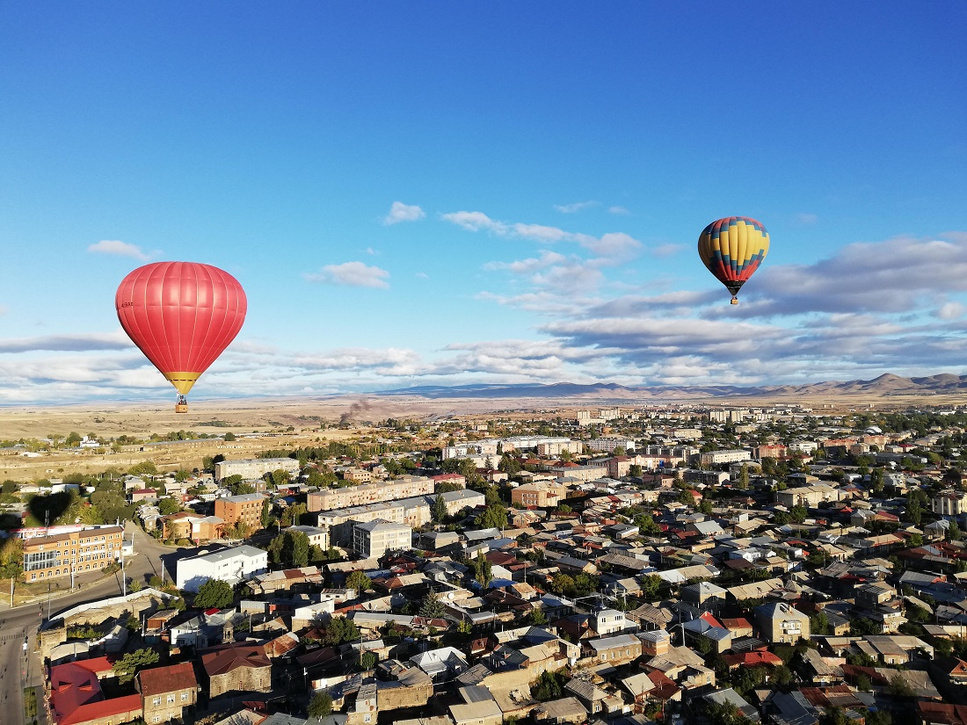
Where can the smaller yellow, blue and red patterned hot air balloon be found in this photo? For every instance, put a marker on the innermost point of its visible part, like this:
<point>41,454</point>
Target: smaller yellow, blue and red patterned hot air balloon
<point>733,248</point>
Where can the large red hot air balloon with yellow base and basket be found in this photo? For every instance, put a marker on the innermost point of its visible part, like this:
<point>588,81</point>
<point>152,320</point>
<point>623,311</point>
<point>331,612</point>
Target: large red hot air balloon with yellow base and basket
<point>182,315</point>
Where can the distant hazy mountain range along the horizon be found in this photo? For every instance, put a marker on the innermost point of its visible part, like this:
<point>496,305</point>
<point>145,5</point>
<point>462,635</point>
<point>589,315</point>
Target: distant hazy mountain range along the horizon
<point>887,385</point>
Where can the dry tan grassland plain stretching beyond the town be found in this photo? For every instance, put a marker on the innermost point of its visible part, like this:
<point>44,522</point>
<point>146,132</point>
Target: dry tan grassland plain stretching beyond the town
<point>291,422</point>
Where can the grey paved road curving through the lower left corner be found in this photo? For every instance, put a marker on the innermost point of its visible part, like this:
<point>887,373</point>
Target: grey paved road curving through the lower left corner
<point>20,668</point>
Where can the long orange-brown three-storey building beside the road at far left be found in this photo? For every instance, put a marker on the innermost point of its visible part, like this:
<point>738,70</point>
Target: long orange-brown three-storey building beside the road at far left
<point>45,557</point>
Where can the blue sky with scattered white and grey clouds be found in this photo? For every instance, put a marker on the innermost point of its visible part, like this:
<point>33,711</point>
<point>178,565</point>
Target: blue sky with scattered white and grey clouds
<point>445,193</point>
